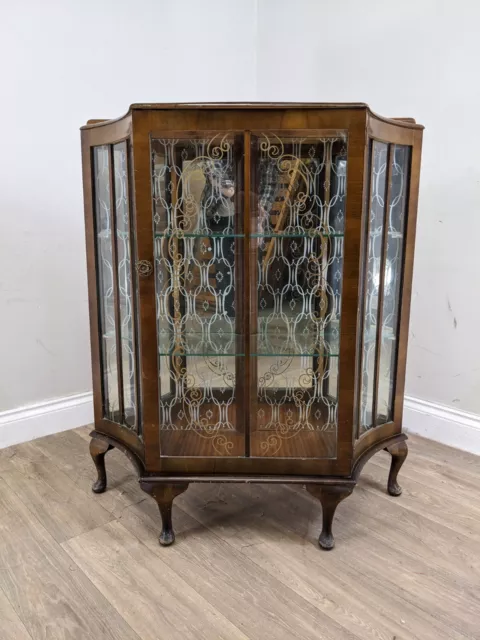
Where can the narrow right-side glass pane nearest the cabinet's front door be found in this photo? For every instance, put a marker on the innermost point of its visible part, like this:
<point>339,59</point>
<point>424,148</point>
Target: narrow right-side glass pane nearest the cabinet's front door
<point>376,212</point>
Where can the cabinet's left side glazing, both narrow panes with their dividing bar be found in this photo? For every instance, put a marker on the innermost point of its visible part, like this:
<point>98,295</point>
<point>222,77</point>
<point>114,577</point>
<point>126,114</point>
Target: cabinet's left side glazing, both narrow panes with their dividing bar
<point>116,296</point>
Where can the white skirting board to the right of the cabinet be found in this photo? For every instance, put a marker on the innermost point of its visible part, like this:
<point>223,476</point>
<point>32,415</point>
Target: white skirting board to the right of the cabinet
<point>456,428</point>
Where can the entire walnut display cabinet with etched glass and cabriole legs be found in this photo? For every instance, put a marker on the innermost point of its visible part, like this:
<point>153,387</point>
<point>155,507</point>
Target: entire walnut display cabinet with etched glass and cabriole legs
<point>250,271</point>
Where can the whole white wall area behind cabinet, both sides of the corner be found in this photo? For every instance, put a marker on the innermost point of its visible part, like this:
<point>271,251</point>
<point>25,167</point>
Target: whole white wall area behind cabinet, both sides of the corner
<point>67,61</point>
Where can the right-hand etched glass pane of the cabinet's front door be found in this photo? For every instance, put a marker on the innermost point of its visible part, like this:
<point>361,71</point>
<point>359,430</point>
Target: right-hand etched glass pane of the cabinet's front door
<point>297,238</point>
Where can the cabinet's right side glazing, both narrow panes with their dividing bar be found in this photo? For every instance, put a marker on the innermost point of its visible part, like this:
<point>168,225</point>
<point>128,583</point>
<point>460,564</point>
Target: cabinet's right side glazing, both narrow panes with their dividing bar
<point>388,195</point>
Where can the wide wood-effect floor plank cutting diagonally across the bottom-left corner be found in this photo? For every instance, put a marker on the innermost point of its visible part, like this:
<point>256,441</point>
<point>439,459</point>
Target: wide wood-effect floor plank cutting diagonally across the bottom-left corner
<point>51,596</point>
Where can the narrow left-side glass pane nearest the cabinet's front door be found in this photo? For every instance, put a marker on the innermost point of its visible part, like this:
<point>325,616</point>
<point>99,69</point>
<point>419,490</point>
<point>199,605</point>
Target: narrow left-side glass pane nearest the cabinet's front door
<point>125,285</point>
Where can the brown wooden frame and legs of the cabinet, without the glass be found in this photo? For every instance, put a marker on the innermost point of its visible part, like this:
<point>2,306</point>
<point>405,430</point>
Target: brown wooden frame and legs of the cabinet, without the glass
<point>330,479</point>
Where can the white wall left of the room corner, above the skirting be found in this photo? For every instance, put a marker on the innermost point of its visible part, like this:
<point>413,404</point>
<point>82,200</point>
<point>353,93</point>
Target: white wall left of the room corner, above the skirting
<point>62,63</point>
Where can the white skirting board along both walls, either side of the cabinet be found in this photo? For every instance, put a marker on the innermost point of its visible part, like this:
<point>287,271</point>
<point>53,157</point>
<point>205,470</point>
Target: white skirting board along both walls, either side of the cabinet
<point>438,422</point>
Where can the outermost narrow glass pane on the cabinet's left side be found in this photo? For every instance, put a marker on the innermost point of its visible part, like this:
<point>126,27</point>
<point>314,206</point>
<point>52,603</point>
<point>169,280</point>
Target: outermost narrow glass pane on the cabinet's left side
<point>103,230</point>
